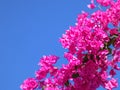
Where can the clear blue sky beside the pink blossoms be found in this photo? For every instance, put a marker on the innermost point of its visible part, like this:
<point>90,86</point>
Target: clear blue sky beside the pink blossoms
<point>30,29</point>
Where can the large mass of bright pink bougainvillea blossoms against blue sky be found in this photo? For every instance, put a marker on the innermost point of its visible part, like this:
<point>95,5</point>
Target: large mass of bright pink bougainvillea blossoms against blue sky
<point>93,53</point>
